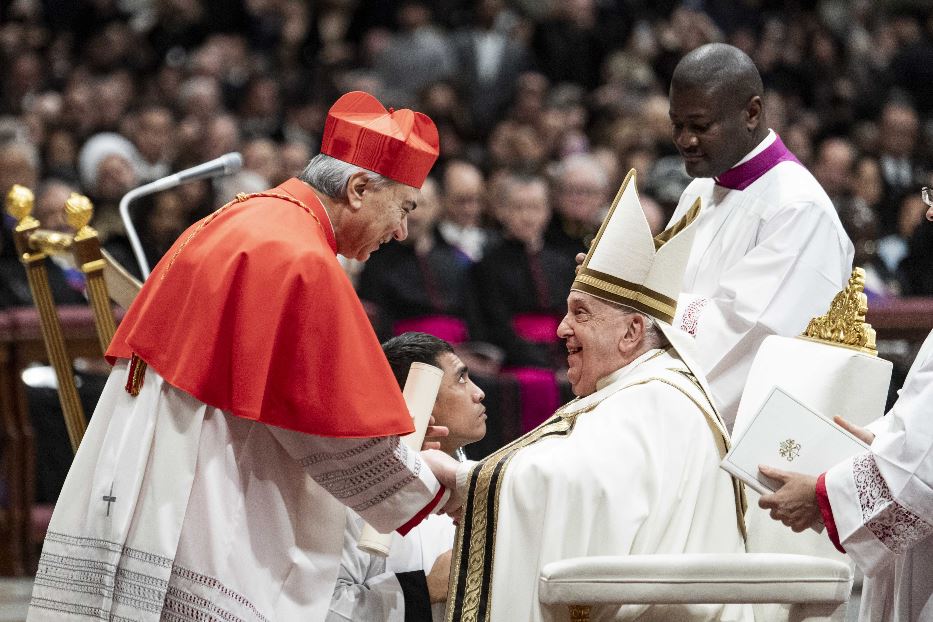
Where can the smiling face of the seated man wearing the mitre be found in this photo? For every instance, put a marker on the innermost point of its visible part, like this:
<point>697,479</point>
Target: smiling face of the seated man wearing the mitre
<point>592,330</point>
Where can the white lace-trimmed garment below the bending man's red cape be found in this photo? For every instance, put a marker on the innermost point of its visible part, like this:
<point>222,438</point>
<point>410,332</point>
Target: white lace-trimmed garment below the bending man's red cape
<point>178,511</point>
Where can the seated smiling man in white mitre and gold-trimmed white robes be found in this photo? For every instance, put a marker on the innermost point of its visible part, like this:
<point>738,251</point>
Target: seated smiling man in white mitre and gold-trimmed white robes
<point>630,466</point>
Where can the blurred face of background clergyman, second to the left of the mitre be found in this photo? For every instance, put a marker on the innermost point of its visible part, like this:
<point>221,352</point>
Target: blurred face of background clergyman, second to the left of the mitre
<point>526,210</point>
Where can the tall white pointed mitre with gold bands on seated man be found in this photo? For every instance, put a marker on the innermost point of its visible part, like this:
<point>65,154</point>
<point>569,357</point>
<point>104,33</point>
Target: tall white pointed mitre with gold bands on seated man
<point>627,266</point>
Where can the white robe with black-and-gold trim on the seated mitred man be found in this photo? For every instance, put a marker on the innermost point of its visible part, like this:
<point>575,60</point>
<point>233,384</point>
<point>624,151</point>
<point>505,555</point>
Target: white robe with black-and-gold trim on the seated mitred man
<point>630,469</point>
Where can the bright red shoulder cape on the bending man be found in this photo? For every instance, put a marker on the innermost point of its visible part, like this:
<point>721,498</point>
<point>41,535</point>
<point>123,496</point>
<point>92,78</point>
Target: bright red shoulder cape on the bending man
<point>250,312</point>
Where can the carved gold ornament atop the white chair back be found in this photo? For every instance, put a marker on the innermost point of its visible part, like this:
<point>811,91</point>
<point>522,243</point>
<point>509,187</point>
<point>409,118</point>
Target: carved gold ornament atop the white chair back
<point>844,324</point>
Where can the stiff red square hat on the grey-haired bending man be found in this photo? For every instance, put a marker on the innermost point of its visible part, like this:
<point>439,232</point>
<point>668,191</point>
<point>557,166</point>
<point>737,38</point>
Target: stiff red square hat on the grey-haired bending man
<point>399,144</point>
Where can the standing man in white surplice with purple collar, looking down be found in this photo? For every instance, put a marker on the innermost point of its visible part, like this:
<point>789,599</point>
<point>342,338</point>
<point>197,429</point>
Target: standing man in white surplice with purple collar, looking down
<point>770,252</point>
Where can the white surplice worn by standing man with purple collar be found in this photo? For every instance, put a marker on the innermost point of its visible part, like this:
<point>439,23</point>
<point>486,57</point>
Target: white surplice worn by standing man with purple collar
<point>765,260</point>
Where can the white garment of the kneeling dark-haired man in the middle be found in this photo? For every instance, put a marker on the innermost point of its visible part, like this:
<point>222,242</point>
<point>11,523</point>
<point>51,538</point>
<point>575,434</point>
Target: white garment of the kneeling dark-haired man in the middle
<point>393,588</point>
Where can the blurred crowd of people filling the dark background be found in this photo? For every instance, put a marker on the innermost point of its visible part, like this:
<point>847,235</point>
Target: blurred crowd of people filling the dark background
<point>543,106</point>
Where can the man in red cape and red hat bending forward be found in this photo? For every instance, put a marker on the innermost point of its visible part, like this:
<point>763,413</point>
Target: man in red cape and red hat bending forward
<point>250,402</point>
